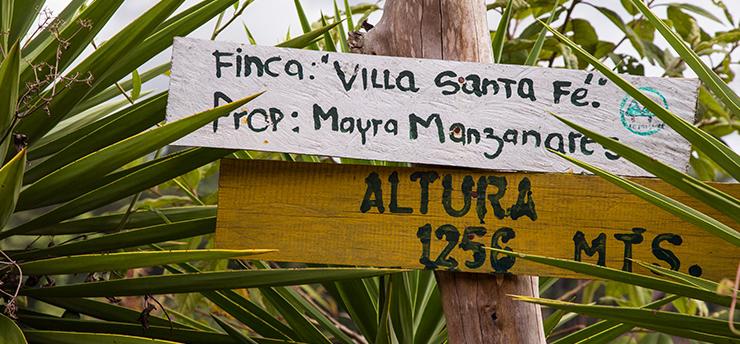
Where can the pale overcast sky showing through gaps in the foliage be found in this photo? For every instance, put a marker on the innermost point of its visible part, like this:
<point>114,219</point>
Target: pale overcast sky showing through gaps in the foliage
<point>269,20</point>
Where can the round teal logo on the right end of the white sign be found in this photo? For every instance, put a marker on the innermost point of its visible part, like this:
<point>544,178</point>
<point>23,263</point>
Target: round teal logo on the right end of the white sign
<point>637,118</point>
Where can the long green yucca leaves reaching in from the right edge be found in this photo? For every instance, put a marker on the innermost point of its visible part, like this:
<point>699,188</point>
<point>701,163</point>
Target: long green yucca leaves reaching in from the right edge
<point>720,327</point>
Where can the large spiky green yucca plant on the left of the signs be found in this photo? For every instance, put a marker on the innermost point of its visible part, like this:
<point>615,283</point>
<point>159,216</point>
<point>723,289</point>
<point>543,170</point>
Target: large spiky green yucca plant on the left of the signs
<point>81,140</point>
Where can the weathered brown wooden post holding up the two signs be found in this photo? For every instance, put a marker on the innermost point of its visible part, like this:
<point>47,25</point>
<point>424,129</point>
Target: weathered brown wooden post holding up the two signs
<point>476,306</point>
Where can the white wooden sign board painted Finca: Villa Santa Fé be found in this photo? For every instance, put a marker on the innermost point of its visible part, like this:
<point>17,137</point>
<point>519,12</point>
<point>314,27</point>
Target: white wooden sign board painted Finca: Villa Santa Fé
<point>417,110</point>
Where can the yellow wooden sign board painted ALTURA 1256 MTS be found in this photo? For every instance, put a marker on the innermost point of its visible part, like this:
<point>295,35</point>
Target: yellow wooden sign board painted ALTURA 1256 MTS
<point>442,218</point>
